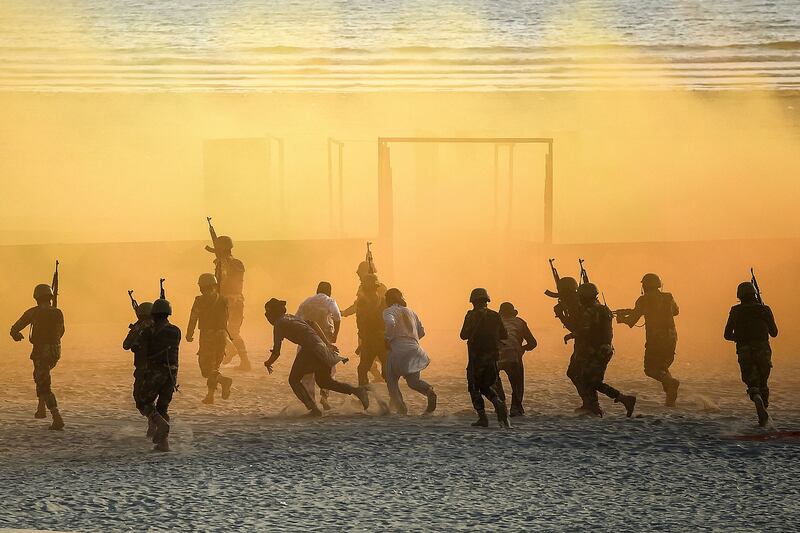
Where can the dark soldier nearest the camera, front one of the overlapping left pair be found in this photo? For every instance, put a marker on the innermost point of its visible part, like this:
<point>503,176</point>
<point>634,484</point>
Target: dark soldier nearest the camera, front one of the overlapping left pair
<point>159,343</point>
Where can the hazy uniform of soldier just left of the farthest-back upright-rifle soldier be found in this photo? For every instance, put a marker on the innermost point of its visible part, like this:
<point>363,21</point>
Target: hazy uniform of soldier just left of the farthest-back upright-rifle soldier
<point>211,312</point>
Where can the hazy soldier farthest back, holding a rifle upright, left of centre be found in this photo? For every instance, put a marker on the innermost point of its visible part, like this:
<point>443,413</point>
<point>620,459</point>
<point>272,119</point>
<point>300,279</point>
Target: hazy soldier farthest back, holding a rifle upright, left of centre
<point>230,273</point>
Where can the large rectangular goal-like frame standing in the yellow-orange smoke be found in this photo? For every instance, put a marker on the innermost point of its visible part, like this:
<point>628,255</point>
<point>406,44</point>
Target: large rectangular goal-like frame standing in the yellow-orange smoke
<point>385,197</point>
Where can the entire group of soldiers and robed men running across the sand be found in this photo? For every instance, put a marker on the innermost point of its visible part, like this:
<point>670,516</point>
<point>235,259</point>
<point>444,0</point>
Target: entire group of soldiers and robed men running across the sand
<point>389,334</point>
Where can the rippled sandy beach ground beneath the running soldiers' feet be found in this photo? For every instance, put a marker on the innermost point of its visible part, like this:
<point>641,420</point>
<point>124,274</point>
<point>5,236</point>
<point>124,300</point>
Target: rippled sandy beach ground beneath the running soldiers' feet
<point>254,463</point>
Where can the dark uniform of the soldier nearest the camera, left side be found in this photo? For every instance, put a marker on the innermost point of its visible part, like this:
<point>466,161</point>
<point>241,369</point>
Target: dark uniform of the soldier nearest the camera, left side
<point>160,344</point>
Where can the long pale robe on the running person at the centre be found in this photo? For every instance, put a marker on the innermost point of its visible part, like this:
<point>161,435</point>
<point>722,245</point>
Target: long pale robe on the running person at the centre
<point>403,332</point>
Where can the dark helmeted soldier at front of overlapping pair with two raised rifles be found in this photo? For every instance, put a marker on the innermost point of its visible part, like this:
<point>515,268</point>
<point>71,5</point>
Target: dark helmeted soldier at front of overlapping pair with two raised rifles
<point>593,351</point>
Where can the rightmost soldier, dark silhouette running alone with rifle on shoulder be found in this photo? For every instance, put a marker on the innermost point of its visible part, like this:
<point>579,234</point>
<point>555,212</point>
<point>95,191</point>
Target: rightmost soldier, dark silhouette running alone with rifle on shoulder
<point>750,325</point>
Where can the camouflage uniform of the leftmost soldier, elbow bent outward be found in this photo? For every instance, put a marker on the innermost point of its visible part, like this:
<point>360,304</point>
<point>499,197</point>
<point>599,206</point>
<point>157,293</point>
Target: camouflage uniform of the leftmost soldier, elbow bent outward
<point>47,328</point>
